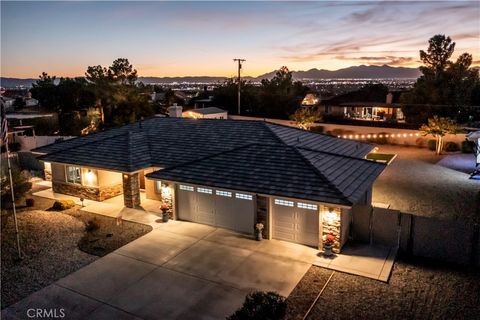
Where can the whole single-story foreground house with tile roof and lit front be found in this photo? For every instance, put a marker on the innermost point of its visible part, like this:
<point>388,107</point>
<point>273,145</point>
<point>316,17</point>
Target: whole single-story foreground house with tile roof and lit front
<point>226,173</point>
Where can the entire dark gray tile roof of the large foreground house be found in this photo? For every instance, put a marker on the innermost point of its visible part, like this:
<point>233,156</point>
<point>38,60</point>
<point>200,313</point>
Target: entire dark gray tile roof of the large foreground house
<point>253,156</point>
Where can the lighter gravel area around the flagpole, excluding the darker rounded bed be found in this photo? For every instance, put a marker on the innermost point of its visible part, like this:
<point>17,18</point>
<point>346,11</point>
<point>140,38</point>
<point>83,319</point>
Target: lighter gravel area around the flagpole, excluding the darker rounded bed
<point>49,241</point>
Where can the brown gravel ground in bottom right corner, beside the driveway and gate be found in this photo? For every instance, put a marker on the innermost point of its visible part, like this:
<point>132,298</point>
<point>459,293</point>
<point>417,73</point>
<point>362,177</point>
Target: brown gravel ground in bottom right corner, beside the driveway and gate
<point>416,290</point>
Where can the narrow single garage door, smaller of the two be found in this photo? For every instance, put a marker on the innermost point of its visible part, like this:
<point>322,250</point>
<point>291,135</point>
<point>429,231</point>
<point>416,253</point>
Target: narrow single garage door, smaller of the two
<point>295,222</point>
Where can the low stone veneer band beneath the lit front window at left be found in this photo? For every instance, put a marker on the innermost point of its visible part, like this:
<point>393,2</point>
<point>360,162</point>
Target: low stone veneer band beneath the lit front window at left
<point>92,193</point>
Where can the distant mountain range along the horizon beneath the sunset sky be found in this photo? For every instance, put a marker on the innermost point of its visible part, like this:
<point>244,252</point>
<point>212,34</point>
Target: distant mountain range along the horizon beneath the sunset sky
<point>355,72</point>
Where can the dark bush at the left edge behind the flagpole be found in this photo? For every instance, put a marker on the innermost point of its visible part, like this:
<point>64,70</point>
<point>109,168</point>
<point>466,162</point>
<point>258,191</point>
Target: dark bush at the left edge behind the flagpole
<point>21,184</point>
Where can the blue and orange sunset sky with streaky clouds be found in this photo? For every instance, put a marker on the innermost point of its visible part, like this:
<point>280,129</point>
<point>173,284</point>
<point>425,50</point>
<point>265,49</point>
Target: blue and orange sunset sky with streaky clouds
<point>202,38</point>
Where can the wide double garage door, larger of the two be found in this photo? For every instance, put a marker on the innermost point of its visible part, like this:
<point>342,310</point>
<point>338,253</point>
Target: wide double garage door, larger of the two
<point>216,207</point>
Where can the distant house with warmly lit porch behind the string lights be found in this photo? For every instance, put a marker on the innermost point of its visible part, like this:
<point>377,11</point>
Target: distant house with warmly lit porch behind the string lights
<point>366,110</point>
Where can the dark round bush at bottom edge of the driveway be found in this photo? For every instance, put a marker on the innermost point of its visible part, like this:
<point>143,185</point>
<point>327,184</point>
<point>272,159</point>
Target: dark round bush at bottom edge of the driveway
<point>261,305</point>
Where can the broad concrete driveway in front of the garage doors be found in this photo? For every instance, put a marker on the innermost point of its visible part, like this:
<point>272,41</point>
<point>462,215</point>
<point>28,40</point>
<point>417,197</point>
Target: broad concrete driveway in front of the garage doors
<point>180,270</point>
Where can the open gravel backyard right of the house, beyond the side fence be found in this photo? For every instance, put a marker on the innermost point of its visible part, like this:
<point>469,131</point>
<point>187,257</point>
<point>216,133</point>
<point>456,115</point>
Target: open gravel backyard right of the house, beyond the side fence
<point>415,183</point>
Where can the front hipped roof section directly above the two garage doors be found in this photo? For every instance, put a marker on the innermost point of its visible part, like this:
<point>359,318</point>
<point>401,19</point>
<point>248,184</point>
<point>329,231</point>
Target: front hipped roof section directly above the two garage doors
<point>280,170</point>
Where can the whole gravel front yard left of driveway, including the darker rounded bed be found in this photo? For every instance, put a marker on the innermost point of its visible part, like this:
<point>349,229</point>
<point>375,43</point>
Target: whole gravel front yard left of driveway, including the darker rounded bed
<point>55,244</point>
